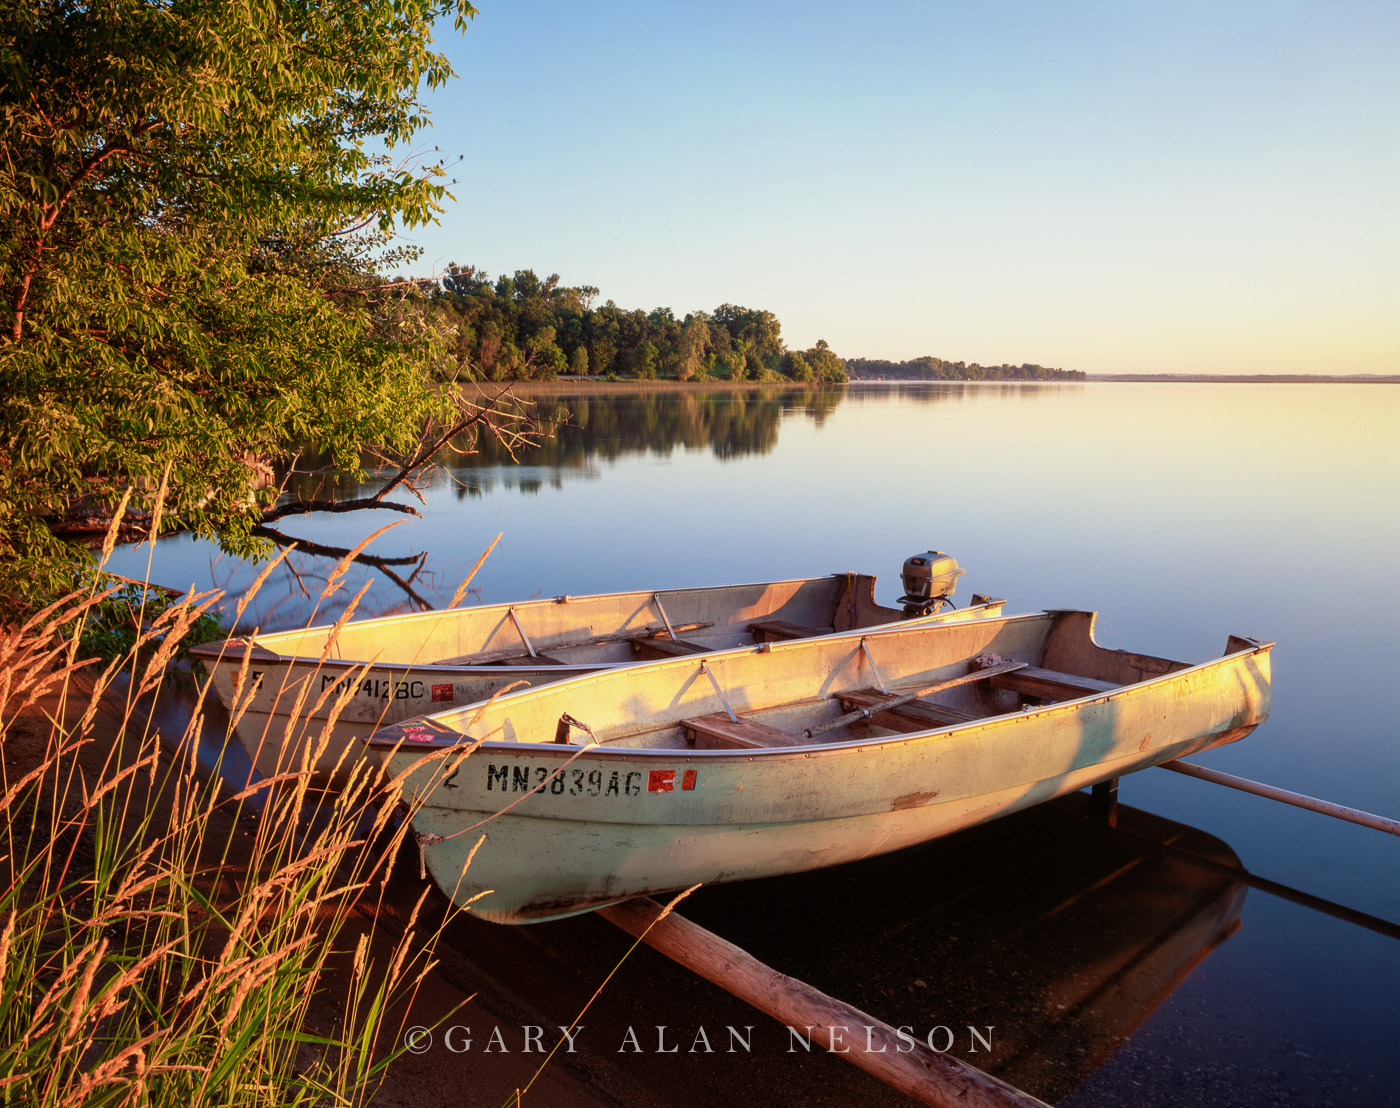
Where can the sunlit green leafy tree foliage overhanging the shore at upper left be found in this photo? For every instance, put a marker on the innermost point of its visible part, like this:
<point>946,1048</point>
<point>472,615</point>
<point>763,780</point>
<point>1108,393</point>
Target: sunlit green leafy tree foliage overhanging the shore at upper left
<point>191,222</point>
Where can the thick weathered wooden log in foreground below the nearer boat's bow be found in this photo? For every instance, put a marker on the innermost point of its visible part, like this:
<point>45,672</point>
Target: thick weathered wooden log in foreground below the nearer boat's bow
<point>838,1027</point>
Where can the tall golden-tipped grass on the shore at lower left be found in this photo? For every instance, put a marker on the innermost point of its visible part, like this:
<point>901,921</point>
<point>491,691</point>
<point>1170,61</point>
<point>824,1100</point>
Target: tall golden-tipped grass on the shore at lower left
<point>164,942</point>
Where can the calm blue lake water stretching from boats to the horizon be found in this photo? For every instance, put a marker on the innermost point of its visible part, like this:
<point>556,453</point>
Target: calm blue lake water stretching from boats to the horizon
<point>1181,512</point>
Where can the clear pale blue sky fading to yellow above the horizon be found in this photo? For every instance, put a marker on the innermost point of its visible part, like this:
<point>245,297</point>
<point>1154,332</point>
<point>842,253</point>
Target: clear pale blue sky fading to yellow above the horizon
<point>1135,187</point>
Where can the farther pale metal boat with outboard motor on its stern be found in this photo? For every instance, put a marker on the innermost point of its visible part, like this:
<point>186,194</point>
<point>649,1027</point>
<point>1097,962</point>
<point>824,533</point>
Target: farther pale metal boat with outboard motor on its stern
<point>317,690</point>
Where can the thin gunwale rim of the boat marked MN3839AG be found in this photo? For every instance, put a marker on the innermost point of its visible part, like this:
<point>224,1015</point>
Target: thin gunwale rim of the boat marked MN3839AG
<point>649,754</point>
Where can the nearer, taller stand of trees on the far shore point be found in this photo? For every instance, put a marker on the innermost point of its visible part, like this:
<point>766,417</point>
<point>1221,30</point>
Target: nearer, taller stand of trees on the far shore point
<point>526,328</point>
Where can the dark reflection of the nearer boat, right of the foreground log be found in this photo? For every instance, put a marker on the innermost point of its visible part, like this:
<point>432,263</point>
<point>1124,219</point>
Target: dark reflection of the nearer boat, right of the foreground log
<point>1051,928</point>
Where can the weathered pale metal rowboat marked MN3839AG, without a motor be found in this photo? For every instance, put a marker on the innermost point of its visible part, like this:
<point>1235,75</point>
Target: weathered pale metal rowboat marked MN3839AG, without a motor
<point>793,756</point>
